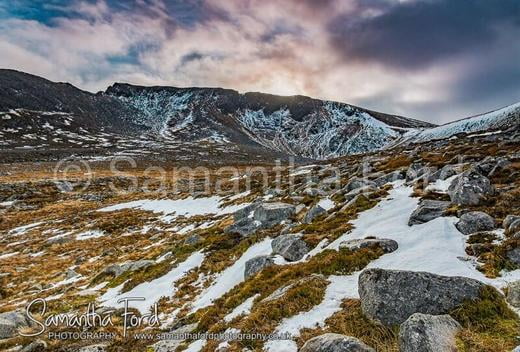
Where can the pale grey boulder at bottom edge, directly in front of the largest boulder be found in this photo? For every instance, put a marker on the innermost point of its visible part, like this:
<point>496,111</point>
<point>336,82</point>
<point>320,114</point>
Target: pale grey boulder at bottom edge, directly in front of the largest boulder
<point>428,333</point>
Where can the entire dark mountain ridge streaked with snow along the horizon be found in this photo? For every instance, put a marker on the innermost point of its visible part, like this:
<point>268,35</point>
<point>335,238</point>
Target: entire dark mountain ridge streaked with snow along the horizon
<point>44,118</point>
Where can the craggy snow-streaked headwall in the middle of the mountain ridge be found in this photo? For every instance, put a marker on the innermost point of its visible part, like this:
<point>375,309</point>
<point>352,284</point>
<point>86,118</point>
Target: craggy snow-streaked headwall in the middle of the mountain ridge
<point>295,125</point>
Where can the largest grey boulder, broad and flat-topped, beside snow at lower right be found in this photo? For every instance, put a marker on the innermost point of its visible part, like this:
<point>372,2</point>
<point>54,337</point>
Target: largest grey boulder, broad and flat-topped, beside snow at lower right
<point>391,296</point>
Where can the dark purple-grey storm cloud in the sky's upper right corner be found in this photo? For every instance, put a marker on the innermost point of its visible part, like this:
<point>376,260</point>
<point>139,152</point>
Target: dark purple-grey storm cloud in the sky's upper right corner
<point>415,34</point>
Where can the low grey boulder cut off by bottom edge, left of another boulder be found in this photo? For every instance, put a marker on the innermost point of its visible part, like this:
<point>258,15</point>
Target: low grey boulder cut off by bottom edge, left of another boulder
<point>335,343</point>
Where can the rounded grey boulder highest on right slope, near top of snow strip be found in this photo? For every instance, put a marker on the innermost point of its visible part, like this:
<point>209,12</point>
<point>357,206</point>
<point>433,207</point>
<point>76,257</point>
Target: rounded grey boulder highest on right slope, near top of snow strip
<point>470,188</point>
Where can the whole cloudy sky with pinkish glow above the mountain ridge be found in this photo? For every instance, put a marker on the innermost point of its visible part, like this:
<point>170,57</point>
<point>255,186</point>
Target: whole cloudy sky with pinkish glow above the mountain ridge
<point>434,60</point>
